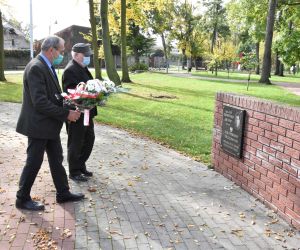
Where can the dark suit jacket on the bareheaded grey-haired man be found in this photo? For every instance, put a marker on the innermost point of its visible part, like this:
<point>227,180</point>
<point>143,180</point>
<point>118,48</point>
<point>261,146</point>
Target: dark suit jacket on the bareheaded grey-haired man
<point>42,114</point>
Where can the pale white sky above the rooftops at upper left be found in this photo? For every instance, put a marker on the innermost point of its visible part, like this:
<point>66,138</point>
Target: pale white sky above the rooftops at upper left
<point>48,16</point>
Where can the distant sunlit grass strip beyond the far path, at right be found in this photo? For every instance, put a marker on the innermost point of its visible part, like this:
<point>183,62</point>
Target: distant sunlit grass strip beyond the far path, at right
<point>244,76</point>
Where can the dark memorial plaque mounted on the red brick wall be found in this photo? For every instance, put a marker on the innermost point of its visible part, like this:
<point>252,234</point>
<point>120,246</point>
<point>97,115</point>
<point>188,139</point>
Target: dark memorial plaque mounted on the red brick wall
<point>233,130</point>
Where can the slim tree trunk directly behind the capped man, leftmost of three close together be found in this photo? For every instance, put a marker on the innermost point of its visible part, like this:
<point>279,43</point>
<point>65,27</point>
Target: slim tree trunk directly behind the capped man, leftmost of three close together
<point>94,41</point>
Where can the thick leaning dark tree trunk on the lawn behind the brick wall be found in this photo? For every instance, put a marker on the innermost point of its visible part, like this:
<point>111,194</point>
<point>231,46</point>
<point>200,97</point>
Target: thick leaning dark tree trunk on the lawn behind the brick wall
<point>267,61</point>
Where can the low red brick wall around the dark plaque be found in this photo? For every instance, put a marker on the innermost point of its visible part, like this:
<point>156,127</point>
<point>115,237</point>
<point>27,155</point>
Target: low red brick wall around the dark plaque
<point>270,166</point>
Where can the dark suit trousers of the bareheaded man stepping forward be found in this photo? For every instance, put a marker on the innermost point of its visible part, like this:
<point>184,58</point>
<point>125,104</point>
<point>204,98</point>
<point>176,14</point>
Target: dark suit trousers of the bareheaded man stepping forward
<point>35,154</point>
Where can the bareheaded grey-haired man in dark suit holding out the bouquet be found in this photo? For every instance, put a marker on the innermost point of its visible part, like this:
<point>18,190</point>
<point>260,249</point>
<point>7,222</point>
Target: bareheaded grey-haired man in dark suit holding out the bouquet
<point>41,119</point>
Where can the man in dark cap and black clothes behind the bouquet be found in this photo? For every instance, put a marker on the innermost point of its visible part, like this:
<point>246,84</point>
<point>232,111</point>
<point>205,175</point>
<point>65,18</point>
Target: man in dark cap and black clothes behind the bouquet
<point>80,138</point>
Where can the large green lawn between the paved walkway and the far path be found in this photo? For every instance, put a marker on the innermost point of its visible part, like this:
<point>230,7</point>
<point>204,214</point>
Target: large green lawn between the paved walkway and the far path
<point>175,111</point>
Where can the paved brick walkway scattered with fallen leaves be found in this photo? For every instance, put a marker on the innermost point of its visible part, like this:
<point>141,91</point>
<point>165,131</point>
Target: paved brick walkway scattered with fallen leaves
<point>142,196</point>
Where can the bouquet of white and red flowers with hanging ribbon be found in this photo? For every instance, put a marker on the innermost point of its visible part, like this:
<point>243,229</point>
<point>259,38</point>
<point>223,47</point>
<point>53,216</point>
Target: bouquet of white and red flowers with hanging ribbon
<point>87,95</point>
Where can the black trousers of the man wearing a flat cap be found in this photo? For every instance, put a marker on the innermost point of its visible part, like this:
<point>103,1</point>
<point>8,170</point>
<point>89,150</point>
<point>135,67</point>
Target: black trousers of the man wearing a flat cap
<point>80,145</point>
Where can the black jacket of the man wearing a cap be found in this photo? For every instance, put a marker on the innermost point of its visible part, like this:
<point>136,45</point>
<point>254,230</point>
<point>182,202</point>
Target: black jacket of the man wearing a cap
<point>74,74</point>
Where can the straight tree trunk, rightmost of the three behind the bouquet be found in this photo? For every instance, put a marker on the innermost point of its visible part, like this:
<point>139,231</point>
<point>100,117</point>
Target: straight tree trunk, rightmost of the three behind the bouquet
<point>125,74</point>
